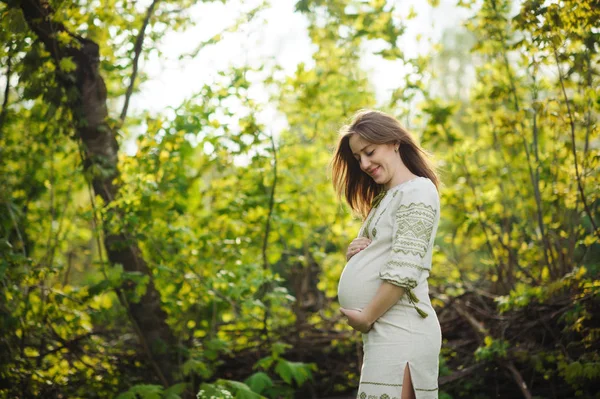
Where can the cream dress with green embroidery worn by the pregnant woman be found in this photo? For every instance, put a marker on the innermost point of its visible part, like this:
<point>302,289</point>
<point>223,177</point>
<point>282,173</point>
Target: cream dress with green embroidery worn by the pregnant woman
<point>402,228</point>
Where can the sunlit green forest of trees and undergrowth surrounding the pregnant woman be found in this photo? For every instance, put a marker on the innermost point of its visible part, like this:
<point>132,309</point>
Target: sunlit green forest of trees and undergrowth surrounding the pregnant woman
<point>194,249</point>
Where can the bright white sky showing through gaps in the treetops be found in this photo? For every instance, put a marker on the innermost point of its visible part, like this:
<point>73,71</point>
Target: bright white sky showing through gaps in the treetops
<point>278,34</point>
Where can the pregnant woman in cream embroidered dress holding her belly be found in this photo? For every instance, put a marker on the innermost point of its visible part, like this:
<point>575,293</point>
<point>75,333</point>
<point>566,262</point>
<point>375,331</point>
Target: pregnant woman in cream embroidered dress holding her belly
<point>383,292</point>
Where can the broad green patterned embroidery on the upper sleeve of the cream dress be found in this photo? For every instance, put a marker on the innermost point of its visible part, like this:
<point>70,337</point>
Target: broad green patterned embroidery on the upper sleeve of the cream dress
<point>414,228</point>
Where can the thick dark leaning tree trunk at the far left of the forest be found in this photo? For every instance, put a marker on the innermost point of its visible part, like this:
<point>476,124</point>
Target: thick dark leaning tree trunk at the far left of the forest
<point>100,151</point>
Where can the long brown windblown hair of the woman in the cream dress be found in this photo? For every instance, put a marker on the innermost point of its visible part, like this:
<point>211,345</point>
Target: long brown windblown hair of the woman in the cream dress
<point>376,127</point>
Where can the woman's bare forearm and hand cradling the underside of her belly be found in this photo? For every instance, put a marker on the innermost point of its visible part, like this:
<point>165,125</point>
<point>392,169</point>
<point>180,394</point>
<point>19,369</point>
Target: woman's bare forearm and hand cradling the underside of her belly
<point>387,296</point>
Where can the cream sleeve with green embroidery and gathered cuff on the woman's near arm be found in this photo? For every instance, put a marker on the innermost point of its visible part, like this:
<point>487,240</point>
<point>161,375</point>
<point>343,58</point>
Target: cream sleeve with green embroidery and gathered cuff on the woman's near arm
<point>414,223</point>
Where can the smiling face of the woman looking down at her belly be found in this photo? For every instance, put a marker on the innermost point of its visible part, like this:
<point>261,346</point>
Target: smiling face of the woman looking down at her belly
<point>380,161</point>
